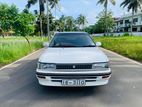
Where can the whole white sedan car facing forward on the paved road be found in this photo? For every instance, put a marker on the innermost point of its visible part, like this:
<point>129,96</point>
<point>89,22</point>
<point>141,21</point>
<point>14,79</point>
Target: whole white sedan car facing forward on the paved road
<point>72,59</point>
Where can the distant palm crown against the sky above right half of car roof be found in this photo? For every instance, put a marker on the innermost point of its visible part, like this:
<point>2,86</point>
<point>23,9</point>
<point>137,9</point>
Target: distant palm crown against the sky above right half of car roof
<point>81,21</point>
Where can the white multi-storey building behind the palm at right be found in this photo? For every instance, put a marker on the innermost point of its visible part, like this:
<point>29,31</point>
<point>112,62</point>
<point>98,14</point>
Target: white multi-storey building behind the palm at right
<point>123,24</point>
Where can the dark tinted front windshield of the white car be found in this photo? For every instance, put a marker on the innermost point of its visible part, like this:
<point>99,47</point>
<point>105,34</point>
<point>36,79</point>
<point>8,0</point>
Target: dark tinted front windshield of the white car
<point>72,40</point>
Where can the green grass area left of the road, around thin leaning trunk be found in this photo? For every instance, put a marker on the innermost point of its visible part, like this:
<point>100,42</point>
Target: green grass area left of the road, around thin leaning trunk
<point>13,48</point>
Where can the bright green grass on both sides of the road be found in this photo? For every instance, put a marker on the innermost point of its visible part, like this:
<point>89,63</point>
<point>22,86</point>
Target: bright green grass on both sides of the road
<point>13,48</point>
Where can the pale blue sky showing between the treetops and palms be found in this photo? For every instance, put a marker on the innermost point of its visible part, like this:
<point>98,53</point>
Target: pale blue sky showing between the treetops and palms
<point>89,8</point>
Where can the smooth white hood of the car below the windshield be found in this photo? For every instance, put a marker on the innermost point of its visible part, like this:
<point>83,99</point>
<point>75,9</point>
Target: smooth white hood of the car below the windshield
<point>73,55</point>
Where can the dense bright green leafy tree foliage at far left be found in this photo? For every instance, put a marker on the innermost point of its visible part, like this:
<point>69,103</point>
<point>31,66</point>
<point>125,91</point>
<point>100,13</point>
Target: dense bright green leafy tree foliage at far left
<point>19,23</point>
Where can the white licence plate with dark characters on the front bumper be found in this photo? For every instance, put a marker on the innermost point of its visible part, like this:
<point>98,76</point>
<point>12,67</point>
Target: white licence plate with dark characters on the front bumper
<point>73,82</point>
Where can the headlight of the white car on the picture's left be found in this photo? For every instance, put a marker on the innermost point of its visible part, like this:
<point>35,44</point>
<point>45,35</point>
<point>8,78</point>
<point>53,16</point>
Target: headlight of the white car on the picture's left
<point>46,66</point>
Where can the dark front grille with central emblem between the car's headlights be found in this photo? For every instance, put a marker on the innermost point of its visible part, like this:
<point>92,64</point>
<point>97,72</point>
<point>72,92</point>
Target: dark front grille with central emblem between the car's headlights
<point>74,66</point>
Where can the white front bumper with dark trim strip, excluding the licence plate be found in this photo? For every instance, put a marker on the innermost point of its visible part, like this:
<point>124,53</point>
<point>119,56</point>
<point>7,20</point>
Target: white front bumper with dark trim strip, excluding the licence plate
<point>54,78</point>
